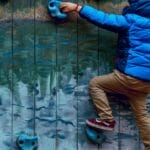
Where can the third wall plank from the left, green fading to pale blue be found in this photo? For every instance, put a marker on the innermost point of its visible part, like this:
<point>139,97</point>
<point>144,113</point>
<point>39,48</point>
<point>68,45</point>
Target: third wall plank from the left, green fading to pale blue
<point>45,62</point>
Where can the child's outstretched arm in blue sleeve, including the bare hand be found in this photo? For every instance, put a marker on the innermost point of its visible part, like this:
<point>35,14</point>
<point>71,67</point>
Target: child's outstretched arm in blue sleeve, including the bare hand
<point>104,20</point>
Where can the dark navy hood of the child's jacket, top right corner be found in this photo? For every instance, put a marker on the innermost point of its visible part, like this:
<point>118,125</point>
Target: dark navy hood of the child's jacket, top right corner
<point>139,7</point>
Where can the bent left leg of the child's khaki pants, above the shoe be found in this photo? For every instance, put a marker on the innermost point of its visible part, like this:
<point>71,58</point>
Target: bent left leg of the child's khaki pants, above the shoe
<point>101,85</point>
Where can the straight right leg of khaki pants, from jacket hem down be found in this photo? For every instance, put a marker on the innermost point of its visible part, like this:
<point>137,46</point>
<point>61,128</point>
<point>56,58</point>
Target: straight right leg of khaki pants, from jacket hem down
<point>137,93</point>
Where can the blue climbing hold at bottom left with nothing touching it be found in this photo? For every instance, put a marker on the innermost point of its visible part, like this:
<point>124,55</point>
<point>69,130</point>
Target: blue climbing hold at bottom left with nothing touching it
<point>25,142</point>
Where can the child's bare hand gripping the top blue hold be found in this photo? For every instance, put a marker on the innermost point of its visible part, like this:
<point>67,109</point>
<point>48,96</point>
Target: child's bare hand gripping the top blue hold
<point>69,7</point>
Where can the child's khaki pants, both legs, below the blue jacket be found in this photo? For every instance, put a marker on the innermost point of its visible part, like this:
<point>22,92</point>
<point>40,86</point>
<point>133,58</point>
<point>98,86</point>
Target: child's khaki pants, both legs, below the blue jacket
<point>136,90</point>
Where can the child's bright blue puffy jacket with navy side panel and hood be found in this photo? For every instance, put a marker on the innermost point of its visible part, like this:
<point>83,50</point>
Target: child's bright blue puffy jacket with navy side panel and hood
<point>133,28</point>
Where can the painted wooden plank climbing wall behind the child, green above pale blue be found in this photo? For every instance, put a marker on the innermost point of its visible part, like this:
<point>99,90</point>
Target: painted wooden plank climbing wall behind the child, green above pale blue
<point>45,68</point>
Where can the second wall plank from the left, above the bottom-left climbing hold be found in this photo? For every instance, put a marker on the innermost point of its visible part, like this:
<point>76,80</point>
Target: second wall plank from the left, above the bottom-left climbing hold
<point>23,81</point>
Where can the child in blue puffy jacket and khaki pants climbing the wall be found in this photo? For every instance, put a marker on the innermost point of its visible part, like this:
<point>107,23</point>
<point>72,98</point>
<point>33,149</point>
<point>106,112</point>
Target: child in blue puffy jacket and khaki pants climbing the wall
<point>131,76</point>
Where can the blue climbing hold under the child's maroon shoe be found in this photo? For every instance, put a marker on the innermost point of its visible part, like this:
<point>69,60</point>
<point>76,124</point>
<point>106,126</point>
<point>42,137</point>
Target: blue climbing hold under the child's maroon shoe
<point>95,136</point>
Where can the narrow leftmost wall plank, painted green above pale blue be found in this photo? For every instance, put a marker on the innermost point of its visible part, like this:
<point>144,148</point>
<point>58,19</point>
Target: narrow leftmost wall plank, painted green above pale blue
<point>6,87</point>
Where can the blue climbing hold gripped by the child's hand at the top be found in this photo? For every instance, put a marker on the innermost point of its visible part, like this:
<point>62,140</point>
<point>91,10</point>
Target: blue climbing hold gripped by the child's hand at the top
<point>53,8</point>
